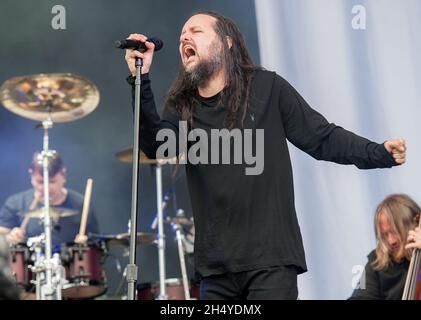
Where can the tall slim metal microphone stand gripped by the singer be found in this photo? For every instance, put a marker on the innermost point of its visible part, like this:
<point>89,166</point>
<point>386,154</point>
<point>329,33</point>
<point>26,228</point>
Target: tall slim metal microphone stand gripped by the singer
<point>132,267</point>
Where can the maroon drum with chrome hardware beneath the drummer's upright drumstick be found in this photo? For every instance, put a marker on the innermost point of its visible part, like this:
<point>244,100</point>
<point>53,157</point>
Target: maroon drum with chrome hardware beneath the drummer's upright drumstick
<point>84,271</point>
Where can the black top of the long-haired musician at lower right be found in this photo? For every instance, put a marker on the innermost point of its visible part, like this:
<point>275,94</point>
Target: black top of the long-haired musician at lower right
<point>386,284</point>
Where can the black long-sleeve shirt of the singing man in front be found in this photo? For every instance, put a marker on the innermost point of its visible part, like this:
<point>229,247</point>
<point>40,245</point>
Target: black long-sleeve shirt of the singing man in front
<point>244,222</point>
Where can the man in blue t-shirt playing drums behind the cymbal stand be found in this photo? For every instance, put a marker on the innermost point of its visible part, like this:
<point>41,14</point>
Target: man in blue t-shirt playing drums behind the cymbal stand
<point>21,217</point>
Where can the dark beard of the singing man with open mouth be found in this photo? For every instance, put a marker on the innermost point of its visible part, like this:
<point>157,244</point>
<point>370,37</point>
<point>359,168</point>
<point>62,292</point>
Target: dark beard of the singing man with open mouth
<point>200,74</point>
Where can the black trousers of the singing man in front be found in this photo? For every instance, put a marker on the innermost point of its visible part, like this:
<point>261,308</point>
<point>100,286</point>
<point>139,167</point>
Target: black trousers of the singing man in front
<point>274,283</point>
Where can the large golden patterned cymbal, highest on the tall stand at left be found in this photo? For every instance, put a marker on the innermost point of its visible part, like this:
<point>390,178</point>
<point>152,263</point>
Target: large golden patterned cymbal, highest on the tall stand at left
<point>61,96</point>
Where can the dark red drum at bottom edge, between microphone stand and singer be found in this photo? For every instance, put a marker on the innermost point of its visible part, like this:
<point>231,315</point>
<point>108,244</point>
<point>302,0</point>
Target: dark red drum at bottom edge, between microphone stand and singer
<point>174,290</point>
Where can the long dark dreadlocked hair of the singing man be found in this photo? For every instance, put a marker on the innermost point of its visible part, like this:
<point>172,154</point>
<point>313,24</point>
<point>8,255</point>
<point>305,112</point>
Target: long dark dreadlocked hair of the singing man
<point>238,74</point>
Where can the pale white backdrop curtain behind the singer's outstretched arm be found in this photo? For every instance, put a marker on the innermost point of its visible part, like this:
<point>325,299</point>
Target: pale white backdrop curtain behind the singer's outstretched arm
<point>365,80</point>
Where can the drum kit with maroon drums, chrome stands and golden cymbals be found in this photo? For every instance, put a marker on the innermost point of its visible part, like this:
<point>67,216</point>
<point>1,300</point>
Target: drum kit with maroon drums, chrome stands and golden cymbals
<point>76,272</point>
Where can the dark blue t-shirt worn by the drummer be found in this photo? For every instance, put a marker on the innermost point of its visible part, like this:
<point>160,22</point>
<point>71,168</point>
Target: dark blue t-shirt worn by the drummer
<point>63,229</point>
